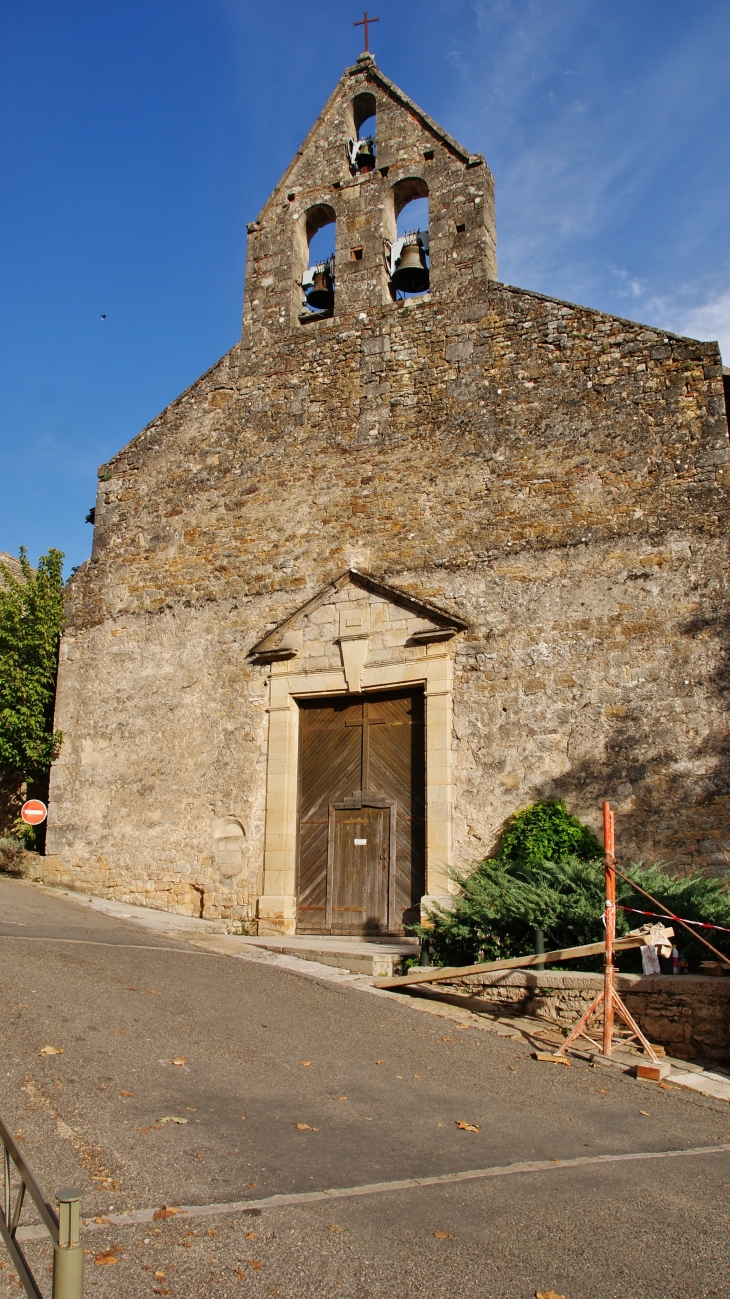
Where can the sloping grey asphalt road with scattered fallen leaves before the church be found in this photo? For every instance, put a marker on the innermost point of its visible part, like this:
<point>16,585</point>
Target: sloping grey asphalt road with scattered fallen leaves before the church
<point>155,1031</point>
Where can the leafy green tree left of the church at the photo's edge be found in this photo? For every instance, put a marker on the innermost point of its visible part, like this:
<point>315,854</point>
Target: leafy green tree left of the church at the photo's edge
<point>32,610</point>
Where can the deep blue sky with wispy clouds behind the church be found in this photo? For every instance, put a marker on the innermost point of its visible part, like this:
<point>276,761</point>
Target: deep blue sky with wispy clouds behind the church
<point>138,137</point>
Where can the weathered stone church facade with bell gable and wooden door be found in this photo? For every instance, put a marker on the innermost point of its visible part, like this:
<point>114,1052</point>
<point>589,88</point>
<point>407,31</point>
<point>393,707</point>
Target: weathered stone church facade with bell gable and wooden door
<point>393,570</point>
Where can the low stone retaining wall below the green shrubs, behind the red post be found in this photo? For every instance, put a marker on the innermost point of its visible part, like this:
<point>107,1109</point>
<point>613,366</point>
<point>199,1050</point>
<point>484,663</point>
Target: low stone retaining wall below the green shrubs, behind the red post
<point>688,1015</point>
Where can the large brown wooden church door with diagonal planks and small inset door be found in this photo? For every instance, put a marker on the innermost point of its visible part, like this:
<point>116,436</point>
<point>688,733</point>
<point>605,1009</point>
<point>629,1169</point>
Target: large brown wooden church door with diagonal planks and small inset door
<point>366,751</point>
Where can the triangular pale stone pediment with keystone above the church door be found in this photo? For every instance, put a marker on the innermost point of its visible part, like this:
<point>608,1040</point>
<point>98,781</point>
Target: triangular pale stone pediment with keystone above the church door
<point>355,619</point>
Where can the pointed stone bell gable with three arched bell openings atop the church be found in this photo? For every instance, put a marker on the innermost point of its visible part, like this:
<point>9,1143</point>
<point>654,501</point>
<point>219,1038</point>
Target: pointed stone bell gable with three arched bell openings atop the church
<point>371,154</point>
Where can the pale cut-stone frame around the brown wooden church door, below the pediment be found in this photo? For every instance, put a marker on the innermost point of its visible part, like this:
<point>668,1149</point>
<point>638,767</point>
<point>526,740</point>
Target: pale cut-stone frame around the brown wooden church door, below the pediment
<point>277,905</point>
